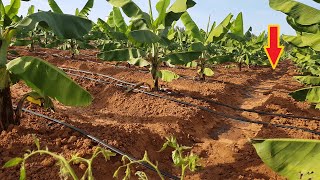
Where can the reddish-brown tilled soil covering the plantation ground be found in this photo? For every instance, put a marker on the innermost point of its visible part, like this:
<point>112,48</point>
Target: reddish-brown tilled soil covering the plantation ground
<point>136,123</point>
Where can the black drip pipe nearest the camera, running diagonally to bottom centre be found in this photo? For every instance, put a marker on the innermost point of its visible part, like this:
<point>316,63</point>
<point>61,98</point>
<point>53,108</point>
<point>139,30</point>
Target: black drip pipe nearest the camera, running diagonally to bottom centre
<point>100,142</point>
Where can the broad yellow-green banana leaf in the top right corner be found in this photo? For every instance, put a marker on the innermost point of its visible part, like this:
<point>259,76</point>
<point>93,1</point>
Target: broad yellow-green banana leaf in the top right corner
<point>303,14</point>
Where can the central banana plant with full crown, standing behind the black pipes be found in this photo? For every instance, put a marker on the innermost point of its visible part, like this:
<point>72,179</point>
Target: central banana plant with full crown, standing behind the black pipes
<point>149,36</point>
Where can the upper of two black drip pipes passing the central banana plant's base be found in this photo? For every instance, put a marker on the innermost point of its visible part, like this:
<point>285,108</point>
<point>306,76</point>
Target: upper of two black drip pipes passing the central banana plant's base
<point>194,97</point>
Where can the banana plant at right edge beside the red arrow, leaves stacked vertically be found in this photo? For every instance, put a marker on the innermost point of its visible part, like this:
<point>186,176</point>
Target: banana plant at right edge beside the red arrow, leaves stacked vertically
<point>305,20</point>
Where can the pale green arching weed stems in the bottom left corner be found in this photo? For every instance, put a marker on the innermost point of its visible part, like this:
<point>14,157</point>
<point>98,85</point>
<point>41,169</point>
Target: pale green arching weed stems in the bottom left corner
<point>64,164</point>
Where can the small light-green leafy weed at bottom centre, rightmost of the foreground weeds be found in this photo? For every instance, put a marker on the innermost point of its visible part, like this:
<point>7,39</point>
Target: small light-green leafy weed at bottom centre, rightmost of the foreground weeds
<point>179,158</point>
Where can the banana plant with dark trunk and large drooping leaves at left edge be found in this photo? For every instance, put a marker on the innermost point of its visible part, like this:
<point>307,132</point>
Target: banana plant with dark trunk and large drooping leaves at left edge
<point>44,78</point>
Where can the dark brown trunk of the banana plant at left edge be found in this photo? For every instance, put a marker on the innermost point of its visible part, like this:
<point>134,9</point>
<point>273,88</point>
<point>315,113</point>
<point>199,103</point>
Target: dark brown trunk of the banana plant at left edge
<point>6,109</point>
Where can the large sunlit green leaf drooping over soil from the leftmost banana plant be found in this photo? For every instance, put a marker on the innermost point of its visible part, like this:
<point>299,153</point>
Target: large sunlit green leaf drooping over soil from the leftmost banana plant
<point>48,80</point>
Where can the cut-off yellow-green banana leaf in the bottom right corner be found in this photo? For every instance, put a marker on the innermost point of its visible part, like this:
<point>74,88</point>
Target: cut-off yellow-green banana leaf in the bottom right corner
<point>291,158</point>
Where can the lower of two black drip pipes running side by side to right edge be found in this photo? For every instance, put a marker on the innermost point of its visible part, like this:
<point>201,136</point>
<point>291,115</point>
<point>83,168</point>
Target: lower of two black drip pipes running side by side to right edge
<point>239,119</point>
